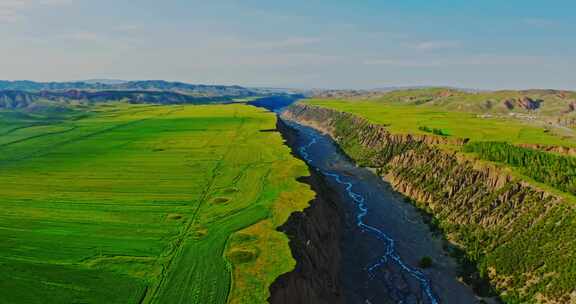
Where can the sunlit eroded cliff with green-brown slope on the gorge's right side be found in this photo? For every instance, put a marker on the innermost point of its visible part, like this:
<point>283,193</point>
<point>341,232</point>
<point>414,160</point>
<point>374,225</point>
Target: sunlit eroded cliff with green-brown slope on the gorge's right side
<point>520,237</point>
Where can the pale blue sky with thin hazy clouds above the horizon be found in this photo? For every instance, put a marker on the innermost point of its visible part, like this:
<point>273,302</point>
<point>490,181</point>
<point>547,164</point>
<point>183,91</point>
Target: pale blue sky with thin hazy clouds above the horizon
<point>485,44</point>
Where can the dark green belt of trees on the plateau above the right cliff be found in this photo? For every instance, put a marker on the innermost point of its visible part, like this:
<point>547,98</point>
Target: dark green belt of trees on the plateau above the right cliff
<point>554,170</point>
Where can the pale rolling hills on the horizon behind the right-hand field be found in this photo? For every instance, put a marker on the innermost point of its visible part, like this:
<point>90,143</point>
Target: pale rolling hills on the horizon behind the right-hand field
<point>548,106</point>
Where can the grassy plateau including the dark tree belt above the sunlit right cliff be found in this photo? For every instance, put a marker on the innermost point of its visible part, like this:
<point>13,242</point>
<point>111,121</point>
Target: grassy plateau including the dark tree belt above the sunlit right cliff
<point>483,132</point>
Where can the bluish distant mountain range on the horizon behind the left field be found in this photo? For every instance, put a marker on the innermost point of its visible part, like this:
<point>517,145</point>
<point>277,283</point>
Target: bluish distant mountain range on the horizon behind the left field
<point>31,95</point>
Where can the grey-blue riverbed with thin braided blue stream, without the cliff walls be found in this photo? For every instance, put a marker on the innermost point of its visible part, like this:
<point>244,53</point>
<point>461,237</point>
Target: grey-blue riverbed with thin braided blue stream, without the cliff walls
<point>383,238</point>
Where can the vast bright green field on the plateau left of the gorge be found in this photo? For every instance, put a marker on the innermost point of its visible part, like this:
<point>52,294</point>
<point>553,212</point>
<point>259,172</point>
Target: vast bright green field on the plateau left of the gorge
<point>144,204</point>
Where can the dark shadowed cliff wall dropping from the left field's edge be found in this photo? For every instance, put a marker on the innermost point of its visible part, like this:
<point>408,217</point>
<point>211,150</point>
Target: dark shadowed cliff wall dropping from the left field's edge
<point>315,236</point>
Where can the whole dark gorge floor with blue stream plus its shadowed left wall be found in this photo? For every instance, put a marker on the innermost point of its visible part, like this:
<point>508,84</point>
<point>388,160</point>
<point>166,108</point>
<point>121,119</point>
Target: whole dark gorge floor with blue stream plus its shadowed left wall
<point>345,254</point>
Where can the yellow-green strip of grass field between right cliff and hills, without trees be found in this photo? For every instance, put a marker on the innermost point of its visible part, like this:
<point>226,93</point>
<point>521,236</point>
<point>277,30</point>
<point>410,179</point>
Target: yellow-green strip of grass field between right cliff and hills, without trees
<point>404,119</point>
